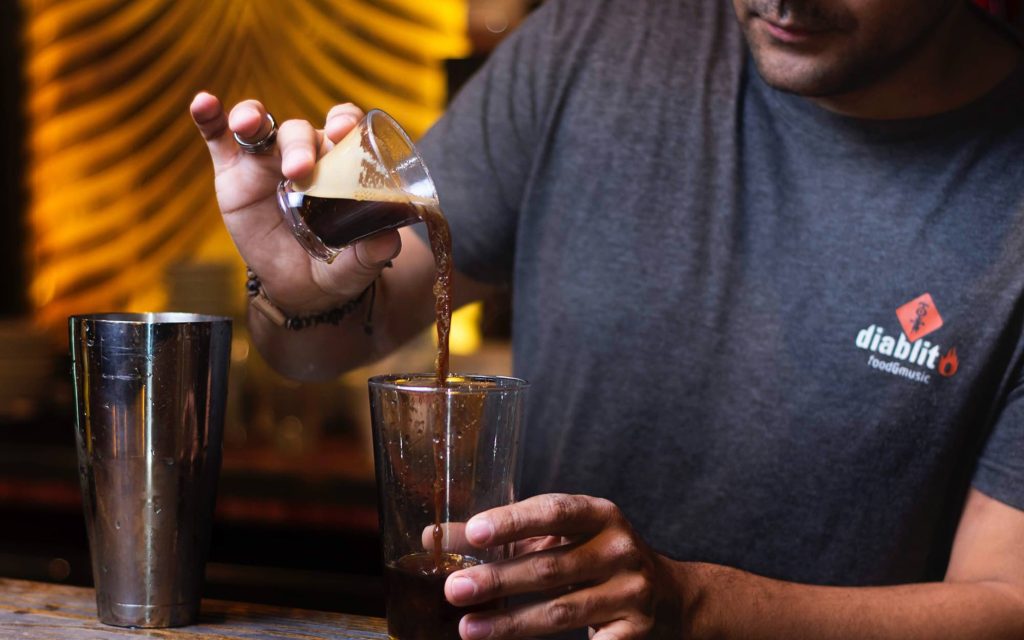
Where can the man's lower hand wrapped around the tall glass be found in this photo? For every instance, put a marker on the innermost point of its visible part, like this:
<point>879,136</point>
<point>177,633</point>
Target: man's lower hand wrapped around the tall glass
<point>583,561</point>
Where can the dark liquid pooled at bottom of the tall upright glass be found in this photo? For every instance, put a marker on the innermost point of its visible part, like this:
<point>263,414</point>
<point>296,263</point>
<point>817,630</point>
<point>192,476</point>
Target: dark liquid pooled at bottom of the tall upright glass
<point>416,606</point>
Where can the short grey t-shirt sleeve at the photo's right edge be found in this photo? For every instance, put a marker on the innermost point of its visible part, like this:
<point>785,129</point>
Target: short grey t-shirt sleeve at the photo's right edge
<point>1000,474</point>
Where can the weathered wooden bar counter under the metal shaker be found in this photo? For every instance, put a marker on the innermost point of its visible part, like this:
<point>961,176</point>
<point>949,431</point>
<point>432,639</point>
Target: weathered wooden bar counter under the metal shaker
<point>42,612</point>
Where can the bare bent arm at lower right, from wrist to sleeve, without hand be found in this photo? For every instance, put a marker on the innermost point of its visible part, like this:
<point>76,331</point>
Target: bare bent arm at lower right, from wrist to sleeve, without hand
<point>983,596</point>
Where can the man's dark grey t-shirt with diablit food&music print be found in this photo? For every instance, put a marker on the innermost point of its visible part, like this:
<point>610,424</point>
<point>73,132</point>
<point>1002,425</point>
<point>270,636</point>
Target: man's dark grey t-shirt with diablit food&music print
<point>780,339</point>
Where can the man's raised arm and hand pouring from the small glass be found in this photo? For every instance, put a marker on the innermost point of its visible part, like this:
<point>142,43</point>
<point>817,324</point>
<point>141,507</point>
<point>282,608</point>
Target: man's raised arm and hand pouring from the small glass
<point>298,285</point>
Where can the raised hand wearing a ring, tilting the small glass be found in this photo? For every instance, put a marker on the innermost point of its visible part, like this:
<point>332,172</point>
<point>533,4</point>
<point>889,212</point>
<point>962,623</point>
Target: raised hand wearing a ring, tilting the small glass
<point>246,186</point>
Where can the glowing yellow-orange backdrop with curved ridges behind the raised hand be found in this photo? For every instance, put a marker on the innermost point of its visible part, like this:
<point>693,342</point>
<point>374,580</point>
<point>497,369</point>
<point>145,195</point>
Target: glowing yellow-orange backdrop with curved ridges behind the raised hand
<point>122,215</point>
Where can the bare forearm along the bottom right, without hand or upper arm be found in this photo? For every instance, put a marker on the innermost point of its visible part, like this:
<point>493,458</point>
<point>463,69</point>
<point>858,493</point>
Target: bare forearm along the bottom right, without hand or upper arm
<point>731,604</point>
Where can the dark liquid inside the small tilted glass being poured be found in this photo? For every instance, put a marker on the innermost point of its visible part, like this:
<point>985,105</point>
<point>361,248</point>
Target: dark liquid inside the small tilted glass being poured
<point>342,222</point>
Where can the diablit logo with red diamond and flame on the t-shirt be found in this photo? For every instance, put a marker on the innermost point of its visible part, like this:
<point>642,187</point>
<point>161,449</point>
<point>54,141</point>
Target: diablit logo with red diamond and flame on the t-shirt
<point>910,355</point>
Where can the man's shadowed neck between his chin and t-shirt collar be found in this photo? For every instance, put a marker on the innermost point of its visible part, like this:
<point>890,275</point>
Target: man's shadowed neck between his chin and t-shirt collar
<point>966,58</point>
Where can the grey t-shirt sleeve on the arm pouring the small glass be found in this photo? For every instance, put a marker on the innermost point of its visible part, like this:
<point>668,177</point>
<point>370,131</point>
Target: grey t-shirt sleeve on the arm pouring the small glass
<point>480,153</point>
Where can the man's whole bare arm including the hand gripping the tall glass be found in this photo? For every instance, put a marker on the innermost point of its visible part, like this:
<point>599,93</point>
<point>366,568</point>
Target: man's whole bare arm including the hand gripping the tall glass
<point>605,577</point>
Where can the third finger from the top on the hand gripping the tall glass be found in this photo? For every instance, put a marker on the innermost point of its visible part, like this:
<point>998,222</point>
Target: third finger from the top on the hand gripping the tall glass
<point>596,606</point>
